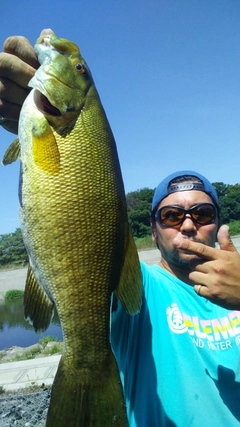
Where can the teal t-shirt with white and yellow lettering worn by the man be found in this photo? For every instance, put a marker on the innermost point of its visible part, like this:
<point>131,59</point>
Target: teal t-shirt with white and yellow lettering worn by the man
<point>179,358</point>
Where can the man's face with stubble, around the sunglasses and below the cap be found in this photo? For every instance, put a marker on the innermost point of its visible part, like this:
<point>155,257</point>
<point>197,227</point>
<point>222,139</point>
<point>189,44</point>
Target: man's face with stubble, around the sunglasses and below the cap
<point>188,229</point>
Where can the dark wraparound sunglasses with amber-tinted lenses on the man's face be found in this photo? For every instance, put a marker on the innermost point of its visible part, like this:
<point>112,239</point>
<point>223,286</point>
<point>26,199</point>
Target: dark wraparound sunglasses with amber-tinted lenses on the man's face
<point>170,216</point>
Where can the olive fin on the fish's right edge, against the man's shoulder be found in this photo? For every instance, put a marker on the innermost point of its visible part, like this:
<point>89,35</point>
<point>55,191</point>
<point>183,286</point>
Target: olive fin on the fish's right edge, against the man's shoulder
<point>129,290</point>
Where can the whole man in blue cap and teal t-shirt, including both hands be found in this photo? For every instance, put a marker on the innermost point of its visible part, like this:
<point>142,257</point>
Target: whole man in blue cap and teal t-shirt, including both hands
<point>179,357</point>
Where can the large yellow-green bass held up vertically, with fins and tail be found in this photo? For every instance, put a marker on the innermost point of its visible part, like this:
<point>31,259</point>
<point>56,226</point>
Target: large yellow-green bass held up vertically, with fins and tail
<point>75,228</point>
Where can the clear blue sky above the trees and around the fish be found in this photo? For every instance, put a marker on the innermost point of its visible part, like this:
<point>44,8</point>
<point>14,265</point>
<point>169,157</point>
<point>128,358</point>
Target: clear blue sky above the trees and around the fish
<point>168,74</point>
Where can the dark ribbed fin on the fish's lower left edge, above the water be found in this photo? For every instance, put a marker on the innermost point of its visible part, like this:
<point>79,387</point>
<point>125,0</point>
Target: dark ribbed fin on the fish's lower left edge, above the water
<point>38,308</point>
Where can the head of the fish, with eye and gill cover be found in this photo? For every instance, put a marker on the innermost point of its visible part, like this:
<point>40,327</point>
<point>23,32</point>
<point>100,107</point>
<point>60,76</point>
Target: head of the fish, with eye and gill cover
<point>63,80</point>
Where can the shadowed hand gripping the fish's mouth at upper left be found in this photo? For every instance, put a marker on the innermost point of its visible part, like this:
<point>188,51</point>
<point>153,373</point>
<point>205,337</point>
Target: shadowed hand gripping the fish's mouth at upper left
<point>18,63</point>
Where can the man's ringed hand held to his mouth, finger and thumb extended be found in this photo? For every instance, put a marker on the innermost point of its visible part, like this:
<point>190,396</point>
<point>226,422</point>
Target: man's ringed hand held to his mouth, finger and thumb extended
<point>216,272</point>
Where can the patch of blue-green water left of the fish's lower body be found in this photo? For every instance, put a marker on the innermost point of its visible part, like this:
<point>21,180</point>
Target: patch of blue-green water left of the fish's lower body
<point>16,331</point>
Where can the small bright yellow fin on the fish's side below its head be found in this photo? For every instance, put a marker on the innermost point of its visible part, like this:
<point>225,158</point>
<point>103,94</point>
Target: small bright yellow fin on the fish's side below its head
<point>45,150</point>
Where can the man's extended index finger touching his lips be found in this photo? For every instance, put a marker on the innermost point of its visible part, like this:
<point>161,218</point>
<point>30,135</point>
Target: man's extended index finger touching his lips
<point>199,249</point>
